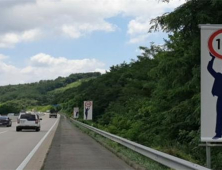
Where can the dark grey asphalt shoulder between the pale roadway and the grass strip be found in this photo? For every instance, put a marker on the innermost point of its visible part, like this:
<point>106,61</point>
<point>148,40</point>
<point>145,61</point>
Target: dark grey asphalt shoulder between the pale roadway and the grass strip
<point>71,149</point>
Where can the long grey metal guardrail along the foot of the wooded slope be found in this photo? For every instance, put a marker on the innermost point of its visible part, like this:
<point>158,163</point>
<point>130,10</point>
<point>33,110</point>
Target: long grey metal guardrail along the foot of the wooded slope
<point>160,157</point>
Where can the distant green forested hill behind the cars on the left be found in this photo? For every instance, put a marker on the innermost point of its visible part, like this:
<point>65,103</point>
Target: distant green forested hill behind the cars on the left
<point>14,98</point>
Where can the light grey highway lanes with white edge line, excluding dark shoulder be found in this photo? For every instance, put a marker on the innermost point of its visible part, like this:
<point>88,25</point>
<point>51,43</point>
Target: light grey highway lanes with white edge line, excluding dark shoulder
<point>16,148</point>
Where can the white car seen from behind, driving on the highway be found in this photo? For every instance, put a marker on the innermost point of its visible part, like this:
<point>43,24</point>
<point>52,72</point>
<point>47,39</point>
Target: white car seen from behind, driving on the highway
<point>28,121</point>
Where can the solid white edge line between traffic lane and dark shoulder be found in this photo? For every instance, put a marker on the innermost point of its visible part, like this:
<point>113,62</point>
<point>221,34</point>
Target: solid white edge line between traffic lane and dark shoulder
<point>30,155</point>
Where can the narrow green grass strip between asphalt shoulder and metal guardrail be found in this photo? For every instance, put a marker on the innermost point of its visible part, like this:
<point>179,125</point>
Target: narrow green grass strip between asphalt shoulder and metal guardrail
<point>134,159</point>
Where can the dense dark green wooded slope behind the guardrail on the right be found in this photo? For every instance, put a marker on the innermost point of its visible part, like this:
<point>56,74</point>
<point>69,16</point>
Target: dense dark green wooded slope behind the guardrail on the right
<point>155,100</point>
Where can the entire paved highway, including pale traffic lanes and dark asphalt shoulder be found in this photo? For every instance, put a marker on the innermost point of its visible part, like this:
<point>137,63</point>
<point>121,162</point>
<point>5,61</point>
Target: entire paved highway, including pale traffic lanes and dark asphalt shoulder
<point>70,149</point>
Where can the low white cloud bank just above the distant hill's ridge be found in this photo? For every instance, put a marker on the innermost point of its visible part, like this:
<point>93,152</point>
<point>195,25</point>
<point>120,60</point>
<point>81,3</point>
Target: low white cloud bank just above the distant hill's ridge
<point>43,67</point>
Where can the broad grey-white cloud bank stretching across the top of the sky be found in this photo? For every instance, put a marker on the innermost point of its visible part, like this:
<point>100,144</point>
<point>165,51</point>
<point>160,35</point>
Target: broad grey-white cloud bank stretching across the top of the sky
<point>22,21</point>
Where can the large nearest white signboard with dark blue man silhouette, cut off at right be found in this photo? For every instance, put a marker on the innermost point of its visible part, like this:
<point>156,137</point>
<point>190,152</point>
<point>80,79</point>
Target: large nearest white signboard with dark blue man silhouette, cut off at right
<point>211,83</point>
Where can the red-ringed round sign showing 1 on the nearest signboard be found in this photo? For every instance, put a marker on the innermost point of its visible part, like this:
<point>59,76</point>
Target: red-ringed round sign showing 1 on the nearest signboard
<point>215,44</point>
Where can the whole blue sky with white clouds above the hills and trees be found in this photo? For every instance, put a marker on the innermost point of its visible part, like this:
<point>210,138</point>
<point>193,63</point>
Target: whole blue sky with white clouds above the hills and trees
<point>45,39</point>
